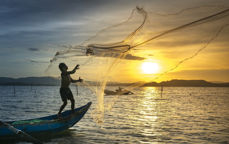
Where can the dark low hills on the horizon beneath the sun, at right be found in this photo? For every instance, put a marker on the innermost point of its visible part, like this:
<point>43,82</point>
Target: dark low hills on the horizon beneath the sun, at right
<point>187,83</point>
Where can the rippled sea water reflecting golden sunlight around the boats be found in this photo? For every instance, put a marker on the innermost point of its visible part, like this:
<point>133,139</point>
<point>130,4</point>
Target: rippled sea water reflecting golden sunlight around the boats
<point>179,115</point>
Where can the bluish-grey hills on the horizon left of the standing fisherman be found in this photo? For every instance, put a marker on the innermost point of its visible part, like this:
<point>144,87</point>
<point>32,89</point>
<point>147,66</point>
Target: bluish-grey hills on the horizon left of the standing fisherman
<point>29,81</point>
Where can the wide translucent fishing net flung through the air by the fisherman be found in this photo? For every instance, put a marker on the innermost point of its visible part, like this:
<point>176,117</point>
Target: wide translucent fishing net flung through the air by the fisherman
<point>175,40</point>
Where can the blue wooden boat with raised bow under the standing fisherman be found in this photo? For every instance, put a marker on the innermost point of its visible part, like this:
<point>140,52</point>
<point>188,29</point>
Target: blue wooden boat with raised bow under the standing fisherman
<point>45,125</point>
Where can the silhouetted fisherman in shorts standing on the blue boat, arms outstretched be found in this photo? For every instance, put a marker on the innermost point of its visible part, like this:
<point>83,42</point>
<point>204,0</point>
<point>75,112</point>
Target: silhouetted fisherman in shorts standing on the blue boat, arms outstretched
<point>65,92</point>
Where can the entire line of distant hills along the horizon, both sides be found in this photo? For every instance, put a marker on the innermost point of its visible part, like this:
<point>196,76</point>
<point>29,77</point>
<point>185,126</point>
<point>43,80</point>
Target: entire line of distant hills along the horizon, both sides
<point>54,81</point>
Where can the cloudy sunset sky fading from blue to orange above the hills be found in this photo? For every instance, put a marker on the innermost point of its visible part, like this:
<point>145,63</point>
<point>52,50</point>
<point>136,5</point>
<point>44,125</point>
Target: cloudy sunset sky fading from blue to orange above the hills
<point>31,37</point>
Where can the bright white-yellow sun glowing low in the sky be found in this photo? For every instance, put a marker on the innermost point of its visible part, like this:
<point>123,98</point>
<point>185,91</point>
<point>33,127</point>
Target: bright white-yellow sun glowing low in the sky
<point>150,68</point>
